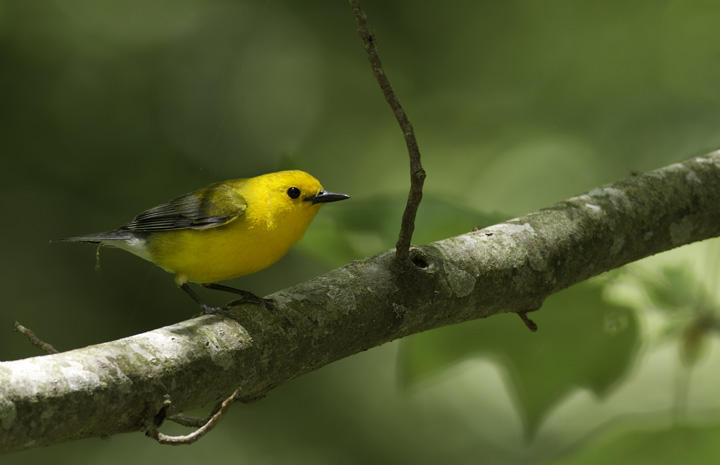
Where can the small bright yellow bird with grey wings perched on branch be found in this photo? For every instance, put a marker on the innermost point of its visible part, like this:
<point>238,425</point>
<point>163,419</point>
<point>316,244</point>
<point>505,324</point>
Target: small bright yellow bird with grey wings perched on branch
<point>222,231</point>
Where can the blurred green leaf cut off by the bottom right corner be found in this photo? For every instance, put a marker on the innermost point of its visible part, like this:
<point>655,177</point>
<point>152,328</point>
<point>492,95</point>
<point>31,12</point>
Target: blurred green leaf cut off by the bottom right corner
<point>688,445</point>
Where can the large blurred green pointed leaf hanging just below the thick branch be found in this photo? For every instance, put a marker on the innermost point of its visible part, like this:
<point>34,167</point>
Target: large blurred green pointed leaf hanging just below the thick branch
<point>582,342</point>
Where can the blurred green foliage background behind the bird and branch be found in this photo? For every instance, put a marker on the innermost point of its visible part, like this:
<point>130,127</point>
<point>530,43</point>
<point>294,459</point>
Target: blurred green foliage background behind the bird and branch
<point>110,107</point>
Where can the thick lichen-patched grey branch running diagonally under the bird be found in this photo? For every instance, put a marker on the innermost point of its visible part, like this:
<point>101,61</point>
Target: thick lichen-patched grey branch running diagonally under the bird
<point>120,386</point>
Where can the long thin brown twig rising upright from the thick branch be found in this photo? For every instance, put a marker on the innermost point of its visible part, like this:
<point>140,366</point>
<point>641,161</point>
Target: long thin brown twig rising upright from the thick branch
<point>417,173</point>
